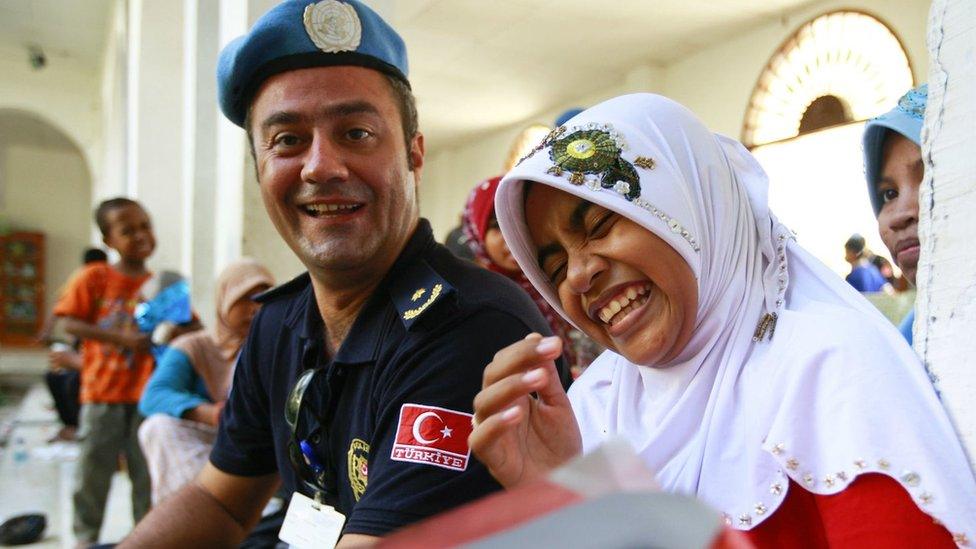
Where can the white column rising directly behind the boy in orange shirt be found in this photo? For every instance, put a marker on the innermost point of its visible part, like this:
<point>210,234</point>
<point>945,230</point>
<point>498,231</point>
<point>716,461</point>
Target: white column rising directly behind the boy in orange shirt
<point>155,129</point>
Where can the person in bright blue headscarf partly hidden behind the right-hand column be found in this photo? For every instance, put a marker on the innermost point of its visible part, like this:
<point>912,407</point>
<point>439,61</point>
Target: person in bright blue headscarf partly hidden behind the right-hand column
<point>894,169</point>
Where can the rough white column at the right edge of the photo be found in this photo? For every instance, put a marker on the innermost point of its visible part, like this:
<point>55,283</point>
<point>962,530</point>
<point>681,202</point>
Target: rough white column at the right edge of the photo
<point>946,304</point>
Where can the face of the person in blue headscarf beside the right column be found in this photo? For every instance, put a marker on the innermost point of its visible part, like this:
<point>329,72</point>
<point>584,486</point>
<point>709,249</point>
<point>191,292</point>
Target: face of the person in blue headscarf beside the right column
<point>901,175</point>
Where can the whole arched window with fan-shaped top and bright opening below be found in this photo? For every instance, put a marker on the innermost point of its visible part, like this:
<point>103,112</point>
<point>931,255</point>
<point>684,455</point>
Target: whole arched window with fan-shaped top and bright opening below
<point>805,120</point>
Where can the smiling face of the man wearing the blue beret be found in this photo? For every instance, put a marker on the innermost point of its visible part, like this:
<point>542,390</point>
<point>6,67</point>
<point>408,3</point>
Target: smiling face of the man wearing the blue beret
<point>333,168</point>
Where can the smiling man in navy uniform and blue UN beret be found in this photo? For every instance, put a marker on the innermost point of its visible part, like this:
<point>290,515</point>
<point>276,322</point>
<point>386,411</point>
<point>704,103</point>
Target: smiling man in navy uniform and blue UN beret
<point>355,385</point>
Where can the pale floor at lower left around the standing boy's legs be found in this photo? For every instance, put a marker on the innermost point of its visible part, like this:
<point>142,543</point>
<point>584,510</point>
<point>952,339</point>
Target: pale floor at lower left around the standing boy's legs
<point>36,476</point>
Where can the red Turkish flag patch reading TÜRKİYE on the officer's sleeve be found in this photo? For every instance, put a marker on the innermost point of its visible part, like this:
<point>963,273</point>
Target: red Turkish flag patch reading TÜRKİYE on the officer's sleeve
<point>433,436</point>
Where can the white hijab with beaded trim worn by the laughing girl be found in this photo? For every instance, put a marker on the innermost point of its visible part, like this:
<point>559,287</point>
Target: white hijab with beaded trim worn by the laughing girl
<point>830,389</point>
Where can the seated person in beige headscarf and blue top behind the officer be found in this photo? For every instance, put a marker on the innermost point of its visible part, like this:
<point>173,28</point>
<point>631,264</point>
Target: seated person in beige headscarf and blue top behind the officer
<point>186,393</point>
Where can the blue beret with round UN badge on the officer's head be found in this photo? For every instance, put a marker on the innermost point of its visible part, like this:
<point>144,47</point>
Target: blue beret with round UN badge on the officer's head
<point>299,34</point>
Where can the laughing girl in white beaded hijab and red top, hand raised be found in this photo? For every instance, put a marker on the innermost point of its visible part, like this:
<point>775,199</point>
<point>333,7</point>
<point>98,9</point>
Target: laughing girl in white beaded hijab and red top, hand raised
<point>741,369</point>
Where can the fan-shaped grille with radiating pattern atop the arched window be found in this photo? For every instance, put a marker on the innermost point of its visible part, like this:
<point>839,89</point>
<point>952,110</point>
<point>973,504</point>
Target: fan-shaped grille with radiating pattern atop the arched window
<point>840,67</point>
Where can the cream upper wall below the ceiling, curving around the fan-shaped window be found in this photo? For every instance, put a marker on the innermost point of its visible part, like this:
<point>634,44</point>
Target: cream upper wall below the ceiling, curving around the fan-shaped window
<point>715,83</point>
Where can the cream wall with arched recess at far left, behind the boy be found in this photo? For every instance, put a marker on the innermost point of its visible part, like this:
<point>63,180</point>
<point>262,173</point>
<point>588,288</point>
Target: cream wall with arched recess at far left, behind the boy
<point>66,99</point>
